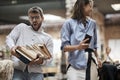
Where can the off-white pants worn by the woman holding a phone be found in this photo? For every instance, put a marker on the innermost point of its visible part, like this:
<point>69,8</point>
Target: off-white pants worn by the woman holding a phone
<point>73,74</point>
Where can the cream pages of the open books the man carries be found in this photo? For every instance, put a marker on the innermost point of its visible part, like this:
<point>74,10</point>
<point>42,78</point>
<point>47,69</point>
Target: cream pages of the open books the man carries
<point>35,51</point>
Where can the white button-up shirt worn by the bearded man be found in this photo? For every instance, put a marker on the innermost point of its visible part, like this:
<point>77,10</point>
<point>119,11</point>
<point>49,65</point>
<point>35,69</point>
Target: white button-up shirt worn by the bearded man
<point>23,35</point>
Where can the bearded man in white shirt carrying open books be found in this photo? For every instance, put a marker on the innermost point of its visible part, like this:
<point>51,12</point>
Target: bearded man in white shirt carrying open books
<point>20,40</point>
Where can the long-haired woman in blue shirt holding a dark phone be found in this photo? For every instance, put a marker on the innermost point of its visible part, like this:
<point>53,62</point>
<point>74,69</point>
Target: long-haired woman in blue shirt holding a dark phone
<point>79,39</point>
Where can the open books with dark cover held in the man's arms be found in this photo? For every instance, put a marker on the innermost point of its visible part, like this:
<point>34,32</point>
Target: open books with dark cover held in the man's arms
<point>31,52</point>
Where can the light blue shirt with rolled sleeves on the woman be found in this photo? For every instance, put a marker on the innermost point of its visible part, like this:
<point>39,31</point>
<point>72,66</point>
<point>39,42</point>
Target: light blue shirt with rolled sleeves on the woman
<point>72,33</point>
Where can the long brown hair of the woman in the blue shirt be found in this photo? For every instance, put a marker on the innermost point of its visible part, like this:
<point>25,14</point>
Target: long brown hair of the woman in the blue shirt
<point>78,10</point>
